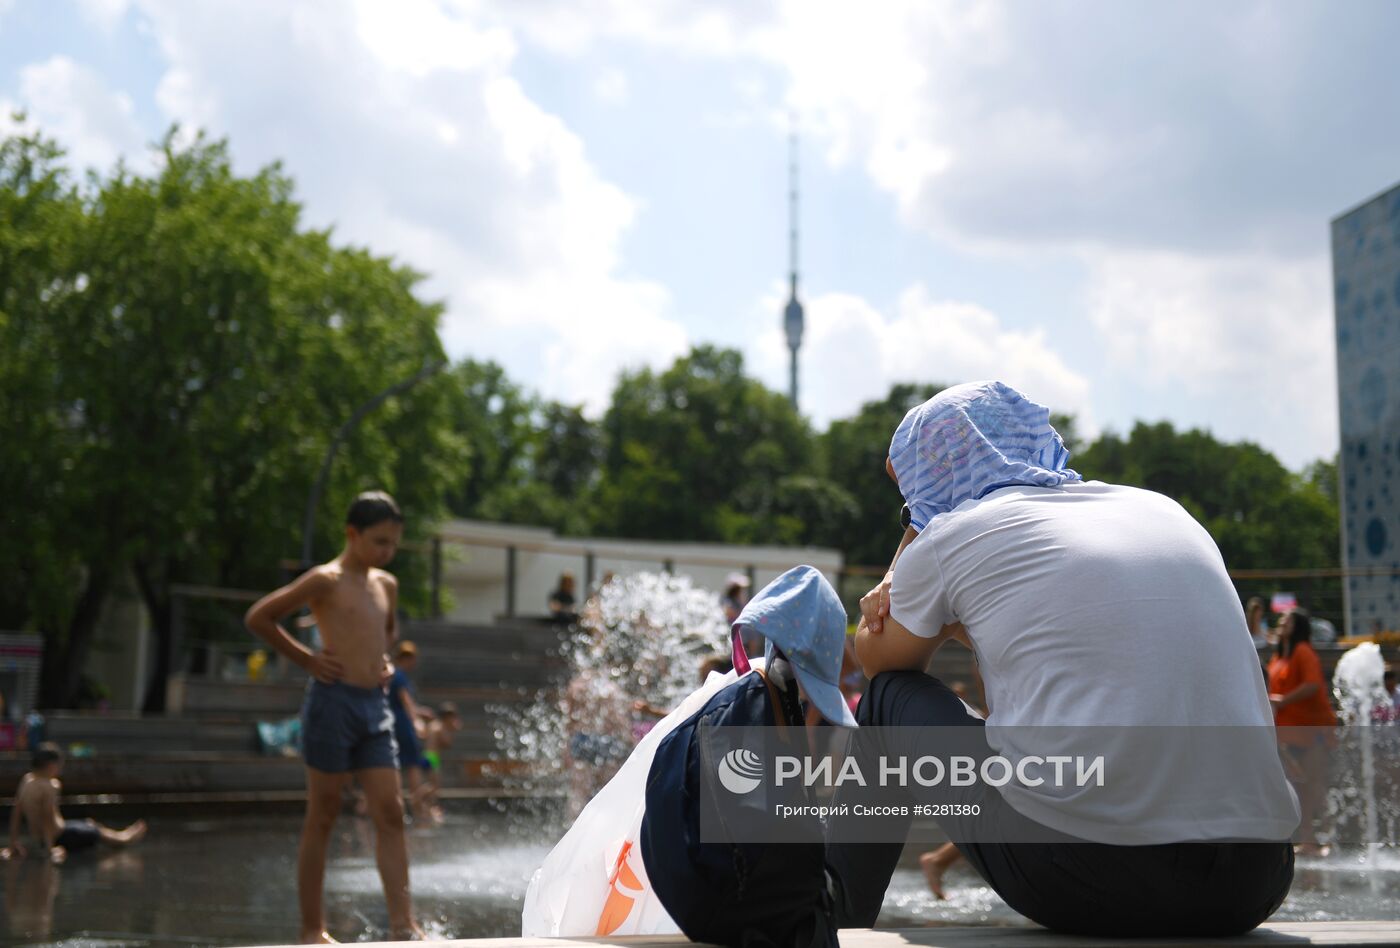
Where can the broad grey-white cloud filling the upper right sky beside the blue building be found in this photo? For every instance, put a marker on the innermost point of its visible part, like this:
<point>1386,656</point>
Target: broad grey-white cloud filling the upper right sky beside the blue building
<point>1189,155</point>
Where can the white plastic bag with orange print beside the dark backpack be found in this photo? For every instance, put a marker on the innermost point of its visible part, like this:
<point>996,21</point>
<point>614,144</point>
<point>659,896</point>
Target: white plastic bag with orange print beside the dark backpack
<point>594,883</point>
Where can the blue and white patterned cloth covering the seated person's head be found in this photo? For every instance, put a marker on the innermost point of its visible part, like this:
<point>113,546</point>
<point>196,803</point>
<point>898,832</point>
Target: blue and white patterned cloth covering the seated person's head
<point>969,440</point>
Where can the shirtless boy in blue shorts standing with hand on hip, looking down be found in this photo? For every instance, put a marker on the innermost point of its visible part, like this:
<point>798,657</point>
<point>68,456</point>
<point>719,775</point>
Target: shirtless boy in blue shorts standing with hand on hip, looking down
<point>348,727</point>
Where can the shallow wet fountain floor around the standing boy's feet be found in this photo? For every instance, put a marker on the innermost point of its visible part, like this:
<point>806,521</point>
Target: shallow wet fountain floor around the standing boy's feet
<point>232,881</point>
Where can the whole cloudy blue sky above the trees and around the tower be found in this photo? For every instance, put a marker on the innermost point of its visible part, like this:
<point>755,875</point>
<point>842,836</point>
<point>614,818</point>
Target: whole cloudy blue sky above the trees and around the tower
<point>1119,208</point>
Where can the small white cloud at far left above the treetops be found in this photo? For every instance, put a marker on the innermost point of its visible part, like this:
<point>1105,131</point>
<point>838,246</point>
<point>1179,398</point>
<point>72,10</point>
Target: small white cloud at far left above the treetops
<point>73,104</point>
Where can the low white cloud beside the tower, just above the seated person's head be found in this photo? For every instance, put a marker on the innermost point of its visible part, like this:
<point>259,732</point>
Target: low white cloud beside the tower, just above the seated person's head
<point>853,352</point>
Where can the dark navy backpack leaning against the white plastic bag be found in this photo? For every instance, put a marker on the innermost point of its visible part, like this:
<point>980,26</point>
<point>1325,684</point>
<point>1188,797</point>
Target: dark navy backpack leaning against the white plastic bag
<point>731,891</point>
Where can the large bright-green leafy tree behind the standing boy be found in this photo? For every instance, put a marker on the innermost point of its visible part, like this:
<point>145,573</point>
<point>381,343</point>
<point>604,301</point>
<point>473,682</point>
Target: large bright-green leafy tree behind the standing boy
<point>206,351</point>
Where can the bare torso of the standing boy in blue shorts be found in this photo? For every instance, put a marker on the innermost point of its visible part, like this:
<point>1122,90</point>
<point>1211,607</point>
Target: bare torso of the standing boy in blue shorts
<point>356,617</point>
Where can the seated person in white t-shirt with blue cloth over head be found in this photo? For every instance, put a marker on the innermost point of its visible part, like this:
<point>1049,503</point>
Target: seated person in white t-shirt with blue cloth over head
<point>1104,621</point>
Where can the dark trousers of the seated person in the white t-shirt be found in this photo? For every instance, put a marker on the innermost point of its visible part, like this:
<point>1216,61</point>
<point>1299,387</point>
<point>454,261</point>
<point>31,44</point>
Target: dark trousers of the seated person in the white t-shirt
<point>1076,887</point>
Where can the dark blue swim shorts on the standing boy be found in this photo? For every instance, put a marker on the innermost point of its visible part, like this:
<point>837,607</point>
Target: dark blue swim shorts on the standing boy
<point>348,729</point>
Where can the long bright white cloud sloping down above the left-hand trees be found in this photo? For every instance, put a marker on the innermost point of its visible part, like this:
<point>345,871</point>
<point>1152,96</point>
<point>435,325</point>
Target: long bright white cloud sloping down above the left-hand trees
<point>407,130</point>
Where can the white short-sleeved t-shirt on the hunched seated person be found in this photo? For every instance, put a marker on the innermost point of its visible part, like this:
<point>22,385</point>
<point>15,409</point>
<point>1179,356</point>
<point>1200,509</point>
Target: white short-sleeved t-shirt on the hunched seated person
<point>1107,607</point>
